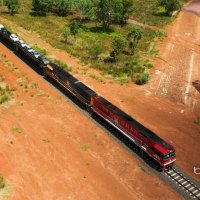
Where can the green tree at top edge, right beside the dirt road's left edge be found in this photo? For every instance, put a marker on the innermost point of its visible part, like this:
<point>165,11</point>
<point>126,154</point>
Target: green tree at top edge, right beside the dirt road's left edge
<point>169,5</point>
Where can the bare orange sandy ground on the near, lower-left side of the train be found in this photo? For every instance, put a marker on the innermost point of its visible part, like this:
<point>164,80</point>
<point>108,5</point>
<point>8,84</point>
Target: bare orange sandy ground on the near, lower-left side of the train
<point>54,156</point>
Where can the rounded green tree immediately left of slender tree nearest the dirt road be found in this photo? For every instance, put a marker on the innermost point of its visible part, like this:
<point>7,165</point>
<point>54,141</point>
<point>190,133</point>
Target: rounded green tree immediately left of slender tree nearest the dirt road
<point>118,45</point>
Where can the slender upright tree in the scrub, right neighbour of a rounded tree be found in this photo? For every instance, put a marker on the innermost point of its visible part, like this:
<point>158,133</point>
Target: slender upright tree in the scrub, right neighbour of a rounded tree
<point>133,37</point>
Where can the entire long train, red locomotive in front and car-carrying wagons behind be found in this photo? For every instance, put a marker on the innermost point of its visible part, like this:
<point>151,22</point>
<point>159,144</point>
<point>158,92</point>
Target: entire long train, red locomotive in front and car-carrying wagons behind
<point>147,141</point>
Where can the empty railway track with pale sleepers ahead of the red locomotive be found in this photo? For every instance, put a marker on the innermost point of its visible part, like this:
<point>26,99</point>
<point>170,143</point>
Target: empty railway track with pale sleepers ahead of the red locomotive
<point>185,183</point>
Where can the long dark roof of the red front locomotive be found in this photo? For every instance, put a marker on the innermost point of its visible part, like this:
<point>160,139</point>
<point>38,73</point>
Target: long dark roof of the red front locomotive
<point>143,130</point>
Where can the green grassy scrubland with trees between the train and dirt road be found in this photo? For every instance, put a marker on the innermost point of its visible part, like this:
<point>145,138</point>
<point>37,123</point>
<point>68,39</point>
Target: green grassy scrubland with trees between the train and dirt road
<point>101,37</point>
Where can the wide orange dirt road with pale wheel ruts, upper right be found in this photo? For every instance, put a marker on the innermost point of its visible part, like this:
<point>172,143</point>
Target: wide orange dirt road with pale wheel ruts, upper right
<point>177,69</point>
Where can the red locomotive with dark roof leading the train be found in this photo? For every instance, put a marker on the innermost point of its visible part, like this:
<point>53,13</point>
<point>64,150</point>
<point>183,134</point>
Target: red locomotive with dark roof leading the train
<point>148,141</point>
